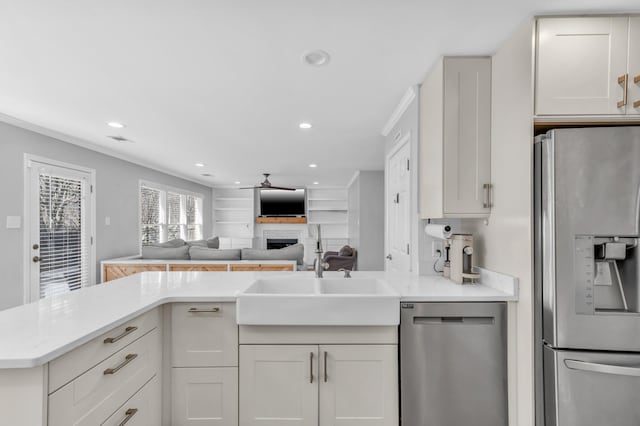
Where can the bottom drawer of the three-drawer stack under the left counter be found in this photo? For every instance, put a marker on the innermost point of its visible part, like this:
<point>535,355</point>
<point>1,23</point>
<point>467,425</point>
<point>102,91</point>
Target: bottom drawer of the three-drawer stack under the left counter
<point>143,409</point>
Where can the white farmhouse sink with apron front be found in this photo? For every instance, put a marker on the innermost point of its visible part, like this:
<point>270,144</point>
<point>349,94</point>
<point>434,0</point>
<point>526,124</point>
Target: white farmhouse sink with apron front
<point>318,301</point>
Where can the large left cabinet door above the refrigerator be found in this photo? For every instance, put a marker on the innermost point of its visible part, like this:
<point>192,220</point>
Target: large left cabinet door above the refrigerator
<point>578,65</point>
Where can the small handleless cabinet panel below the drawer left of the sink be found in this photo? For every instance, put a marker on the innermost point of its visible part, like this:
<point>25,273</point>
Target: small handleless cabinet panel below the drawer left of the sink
<point>204,396</point>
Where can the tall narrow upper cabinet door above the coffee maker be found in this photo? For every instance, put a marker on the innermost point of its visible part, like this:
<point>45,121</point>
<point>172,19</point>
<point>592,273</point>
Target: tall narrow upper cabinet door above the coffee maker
<point>467,136</point>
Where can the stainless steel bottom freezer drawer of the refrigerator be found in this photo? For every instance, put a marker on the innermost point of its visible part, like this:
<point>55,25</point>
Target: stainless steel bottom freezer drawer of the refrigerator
<point>591,388</point>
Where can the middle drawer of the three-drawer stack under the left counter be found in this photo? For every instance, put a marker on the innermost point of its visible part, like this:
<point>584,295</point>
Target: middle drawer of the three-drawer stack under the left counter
<point>96,394</point>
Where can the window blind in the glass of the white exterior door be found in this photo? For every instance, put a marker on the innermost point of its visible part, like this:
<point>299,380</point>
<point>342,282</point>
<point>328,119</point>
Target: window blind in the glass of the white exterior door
<point>64,246</point>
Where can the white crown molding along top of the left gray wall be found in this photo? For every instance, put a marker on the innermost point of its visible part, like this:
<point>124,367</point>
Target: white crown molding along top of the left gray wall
<point>94,147</point>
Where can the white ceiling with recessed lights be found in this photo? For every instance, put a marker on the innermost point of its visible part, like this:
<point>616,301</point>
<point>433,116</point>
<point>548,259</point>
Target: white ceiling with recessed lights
<point>222,81</point>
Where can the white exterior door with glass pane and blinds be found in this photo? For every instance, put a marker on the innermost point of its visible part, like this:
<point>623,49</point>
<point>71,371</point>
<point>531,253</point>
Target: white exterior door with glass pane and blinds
<point>61,228</point>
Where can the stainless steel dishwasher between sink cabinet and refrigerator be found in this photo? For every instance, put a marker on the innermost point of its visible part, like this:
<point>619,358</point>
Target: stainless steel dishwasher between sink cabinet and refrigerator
<point>453,364</point>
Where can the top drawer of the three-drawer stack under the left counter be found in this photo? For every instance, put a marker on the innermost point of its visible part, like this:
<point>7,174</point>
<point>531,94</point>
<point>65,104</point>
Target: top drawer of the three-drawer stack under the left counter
<point>69,366</point>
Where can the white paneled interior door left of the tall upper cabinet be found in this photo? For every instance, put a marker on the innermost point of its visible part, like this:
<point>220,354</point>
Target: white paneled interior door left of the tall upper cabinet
<point>398,210</point>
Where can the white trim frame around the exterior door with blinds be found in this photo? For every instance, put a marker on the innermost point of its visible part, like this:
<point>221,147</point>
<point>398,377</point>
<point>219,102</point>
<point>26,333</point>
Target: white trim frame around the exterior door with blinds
<point>28,161</point>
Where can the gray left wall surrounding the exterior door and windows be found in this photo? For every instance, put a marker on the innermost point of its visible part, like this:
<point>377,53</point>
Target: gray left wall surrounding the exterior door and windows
<point>116,197</point>
